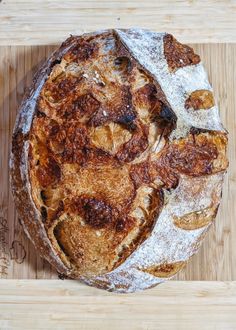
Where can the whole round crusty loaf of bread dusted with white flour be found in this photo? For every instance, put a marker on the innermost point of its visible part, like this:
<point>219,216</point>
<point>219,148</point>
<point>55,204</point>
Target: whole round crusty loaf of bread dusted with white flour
<point>118,158</point>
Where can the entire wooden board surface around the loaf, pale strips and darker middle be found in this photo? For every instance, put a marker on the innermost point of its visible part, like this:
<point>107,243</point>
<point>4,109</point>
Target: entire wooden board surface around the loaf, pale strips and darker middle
<point>29,31</point>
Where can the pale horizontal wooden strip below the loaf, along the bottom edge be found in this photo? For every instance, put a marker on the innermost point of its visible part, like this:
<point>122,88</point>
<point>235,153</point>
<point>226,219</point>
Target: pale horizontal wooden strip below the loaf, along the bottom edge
<point>64,305</point>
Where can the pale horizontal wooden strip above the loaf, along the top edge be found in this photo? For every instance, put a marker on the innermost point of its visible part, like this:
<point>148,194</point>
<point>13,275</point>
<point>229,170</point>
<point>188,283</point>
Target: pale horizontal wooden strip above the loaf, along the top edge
<point>33,22</point>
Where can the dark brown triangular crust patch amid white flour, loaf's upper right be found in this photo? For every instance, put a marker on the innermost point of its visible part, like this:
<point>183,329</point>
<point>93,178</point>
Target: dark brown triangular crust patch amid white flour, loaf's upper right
<point>177,54</point>
